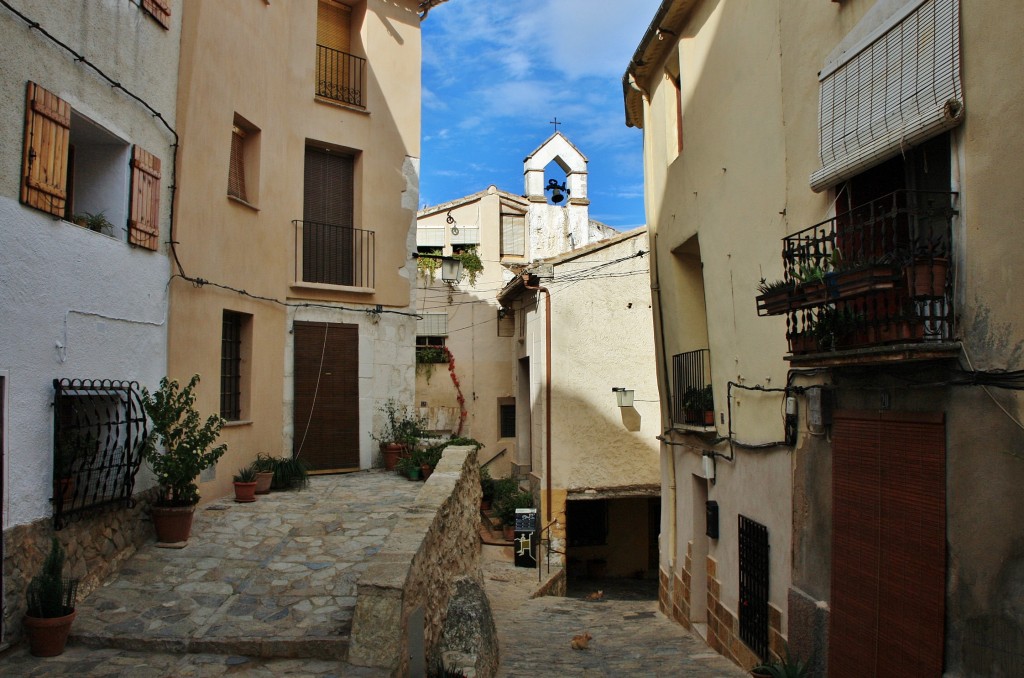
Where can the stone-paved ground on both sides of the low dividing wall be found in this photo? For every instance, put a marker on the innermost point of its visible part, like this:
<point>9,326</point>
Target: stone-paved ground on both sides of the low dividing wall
<point>268,589</point>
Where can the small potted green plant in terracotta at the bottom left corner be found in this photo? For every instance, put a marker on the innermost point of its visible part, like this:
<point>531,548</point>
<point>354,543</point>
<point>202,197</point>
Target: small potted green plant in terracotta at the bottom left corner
<point>52,606</point>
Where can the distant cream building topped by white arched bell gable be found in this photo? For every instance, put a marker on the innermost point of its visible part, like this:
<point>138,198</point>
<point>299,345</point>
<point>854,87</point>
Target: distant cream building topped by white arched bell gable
<point>506,232</point>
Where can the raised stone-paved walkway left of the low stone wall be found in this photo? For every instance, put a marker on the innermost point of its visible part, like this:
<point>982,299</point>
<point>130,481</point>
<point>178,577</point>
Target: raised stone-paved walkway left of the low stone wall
<point>272,579</point>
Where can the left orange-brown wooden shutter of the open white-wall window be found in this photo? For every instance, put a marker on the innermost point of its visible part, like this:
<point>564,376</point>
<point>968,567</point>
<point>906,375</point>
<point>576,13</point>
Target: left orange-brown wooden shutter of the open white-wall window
<point>45,165</point>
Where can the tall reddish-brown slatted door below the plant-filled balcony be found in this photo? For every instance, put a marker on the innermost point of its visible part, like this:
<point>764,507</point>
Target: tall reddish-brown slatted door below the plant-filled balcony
<point>888,546</point>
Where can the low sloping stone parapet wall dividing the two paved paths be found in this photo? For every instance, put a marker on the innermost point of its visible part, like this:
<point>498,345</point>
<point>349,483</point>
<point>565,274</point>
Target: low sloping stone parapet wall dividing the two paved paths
<point>436,542</point>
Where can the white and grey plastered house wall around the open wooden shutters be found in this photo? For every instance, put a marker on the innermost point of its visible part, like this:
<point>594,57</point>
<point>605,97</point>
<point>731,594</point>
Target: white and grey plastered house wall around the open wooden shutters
<point>76,304</point>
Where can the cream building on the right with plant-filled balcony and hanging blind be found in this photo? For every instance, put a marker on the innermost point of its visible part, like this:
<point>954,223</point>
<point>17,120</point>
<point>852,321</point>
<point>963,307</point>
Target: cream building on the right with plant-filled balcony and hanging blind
<point>867,407</point>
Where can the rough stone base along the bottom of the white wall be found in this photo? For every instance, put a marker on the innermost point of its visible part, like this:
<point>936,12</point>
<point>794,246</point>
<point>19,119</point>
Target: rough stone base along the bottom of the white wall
<point>96,545</point>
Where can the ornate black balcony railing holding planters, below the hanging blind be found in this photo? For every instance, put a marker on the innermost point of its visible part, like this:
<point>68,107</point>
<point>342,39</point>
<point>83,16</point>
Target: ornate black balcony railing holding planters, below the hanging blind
<point>878,275</point>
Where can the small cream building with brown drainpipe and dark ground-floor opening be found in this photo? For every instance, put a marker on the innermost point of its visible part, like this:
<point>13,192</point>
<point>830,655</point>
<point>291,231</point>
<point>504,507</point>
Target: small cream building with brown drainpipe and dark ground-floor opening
<point>584,332</point>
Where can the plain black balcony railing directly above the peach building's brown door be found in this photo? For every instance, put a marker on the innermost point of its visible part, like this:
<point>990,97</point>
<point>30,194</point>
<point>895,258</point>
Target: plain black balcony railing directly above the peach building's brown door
<point>334,256</point>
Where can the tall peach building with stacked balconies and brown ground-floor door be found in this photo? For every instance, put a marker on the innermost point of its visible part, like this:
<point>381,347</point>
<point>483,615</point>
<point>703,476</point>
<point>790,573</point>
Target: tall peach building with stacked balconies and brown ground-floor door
<point>295,213</point>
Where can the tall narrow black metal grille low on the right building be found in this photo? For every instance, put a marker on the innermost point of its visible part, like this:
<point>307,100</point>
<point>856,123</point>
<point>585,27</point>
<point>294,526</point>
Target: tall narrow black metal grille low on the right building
<point>754,570</point>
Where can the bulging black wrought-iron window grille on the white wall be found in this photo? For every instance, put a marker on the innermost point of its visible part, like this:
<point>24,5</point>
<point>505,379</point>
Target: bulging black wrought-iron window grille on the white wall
<point>99,433</point>
